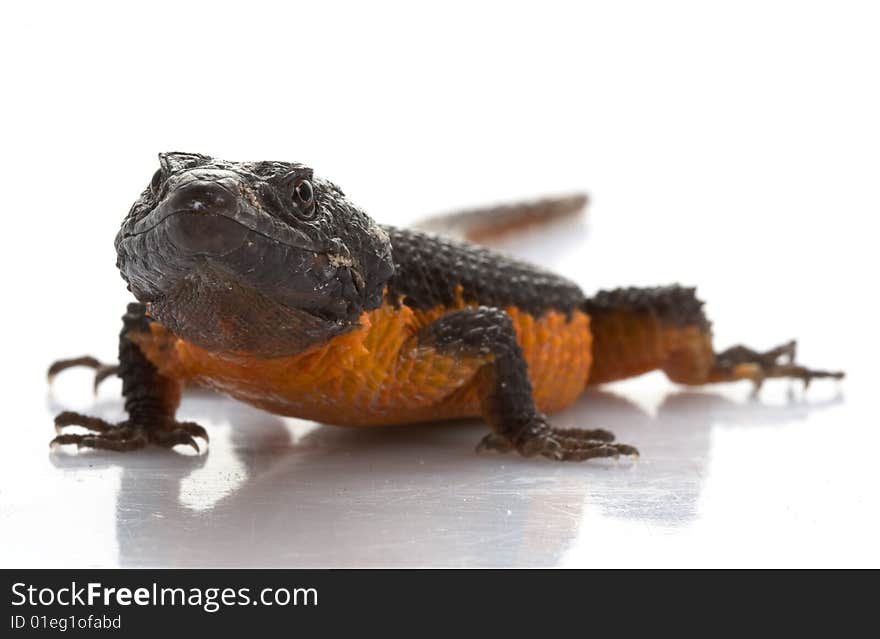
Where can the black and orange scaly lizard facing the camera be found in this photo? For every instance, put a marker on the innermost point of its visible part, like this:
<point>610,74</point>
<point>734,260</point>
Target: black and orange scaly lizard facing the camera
<point>263,281</point>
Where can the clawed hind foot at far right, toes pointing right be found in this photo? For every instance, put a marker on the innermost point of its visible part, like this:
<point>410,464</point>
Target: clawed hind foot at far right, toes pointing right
<point>741,362</point>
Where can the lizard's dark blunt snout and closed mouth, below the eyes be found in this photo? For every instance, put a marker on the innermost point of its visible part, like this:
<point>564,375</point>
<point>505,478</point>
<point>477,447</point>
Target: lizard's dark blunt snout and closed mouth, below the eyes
<point>211,231</point>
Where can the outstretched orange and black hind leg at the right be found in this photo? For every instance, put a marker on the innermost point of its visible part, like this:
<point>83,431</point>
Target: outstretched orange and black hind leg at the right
<point>636,330</point>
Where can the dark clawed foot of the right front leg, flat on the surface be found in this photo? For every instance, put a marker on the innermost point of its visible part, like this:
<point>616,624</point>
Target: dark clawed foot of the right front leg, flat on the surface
<point>561,444</point>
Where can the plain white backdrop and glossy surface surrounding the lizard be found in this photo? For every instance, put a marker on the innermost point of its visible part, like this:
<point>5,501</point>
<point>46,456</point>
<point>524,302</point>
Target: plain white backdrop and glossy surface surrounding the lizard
<point>735,146</point>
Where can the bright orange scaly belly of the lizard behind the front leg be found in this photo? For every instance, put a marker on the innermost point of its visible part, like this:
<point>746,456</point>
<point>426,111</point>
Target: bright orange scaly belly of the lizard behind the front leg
<point>378,374</point>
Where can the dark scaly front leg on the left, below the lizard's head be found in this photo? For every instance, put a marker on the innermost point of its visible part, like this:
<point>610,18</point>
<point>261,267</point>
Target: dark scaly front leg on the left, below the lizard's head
<point>151,400</point>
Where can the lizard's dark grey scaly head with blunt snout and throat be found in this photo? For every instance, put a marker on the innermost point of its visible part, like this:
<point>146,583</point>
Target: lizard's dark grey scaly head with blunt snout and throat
<point>261,257</point>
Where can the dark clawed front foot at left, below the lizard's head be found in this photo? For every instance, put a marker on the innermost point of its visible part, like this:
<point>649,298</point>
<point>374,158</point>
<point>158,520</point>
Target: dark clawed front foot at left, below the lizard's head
<point>126,435</point>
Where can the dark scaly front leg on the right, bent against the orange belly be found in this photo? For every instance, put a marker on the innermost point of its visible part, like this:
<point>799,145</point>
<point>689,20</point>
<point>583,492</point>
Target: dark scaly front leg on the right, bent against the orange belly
<point>505,392</point>
